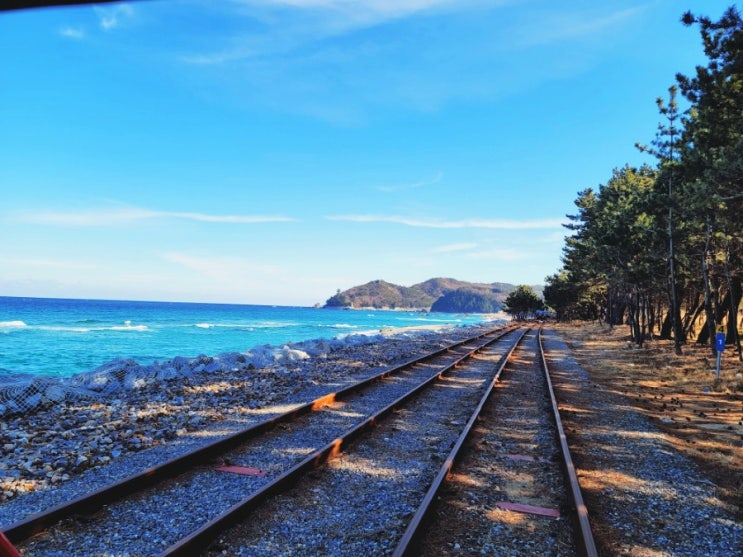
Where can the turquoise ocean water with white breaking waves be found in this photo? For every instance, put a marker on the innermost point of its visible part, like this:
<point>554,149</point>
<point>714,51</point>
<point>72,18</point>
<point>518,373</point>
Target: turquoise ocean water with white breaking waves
<point>62,337</point>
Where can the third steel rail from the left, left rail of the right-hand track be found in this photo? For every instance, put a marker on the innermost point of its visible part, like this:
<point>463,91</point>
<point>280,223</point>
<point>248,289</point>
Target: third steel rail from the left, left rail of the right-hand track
<point>407,544</point>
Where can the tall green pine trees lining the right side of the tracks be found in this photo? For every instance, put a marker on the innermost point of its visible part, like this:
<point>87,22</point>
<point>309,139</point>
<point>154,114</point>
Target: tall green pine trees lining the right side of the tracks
<point>660,247</point>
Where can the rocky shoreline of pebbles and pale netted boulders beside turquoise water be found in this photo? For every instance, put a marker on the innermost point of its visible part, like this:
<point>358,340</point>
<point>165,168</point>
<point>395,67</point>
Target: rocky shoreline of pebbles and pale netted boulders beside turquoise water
<point>139,408</point>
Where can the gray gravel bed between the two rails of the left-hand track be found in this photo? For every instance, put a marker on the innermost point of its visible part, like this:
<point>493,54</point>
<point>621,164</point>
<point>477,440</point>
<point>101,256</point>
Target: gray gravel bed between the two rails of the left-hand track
<point>180,507</point>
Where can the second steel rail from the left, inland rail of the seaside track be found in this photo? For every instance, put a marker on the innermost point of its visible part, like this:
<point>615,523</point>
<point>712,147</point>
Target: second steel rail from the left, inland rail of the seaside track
<point>199,539</point>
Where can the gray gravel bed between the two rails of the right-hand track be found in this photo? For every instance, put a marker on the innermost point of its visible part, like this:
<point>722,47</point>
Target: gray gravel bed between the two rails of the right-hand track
<point>512,456</point>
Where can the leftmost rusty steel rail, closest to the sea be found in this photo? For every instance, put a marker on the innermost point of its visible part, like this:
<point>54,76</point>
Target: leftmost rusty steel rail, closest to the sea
<point>89,503</point>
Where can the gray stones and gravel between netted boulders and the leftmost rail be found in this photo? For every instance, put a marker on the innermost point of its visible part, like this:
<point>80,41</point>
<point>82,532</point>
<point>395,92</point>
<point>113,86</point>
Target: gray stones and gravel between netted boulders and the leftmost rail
<point>213,405</point>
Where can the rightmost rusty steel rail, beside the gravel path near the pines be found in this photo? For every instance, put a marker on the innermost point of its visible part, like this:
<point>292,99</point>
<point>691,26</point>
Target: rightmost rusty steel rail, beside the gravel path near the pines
<point>583,536</point>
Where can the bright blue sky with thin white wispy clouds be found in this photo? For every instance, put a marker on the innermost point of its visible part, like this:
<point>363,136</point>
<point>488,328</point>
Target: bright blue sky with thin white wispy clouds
<point>272,152</point>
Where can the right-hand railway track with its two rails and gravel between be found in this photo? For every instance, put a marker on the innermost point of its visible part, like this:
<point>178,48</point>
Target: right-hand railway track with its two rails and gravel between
<point>509,487</point>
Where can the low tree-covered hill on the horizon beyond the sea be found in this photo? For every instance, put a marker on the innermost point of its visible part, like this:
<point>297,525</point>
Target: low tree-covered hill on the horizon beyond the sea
<point>437,294</point>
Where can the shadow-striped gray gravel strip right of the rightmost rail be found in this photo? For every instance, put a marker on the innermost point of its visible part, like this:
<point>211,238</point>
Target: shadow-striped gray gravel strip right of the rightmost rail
<point>645,497</point>
